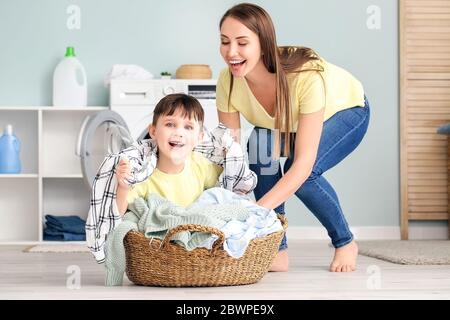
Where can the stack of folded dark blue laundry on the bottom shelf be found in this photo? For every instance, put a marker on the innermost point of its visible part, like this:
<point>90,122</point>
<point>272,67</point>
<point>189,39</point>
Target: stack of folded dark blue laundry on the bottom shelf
<point>64,228</point>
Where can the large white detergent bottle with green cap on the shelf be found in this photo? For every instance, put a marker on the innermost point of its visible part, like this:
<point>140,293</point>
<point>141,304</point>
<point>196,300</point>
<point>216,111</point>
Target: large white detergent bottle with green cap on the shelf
<point>70,82</point>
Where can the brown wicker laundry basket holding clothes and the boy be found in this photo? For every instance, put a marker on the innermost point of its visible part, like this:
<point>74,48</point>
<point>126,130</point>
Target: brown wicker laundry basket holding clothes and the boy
<point>163,263</point>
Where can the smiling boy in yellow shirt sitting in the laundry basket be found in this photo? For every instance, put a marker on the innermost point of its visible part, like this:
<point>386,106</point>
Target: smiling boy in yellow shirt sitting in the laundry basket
<point>181,175</point>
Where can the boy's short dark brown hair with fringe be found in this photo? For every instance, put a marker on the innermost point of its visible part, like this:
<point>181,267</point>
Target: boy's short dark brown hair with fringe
<point>190,106</point>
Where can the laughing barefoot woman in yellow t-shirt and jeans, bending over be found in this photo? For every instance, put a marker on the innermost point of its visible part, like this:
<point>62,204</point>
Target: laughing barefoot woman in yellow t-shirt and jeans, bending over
<point>304,108</point>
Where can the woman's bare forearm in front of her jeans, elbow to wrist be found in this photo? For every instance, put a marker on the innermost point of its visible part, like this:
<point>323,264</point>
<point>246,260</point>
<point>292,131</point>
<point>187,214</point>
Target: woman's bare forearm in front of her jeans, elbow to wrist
<point>286,186</point>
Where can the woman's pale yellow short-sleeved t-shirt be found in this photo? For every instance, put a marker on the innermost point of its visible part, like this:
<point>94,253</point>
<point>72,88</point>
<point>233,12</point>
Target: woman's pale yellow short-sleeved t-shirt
<point>342,91</point>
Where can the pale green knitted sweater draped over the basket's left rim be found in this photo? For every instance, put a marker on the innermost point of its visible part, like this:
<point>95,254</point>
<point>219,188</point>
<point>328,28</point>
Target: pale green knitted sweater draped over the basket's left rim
<point>154,218</point>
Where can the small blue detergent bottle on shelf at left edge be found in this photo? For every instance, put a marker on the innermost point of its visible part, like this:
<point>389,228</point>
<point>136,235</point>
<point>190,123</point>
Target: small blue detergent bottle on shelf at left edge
<point>9,152</point>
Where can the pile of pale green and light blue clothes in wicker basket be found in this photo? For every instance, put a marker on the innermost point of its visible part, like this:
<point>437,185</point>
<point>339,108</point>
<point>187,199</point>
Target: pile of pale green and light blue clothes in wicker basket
<point>217,207</point>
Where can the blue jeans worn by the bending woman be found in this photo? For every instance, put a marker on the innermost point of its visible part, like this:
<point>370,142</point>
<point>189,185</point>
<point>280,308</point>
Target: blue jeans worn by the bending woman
<point>341,134</point>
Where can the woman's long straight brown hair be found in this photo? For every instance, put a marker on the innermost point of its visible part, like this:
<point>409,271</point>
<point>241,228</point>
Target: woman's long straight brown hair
<point>278,60</point>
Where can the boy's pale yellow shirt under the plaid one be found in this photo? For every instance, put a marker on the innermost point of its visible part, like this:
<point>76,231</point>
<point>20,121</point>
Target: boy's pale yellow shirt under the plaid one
<point>181,188</point>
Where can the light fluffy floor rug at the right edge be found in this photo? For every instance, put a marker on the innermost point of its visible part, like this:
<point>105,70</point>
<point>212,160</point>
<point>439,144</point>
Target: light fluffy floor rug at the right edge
<point>407,251</point>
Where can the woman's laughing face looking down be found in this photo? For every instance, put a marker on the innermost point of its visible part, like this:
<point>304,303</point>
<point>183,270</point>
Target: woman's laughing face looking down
<point>240,47</point>
